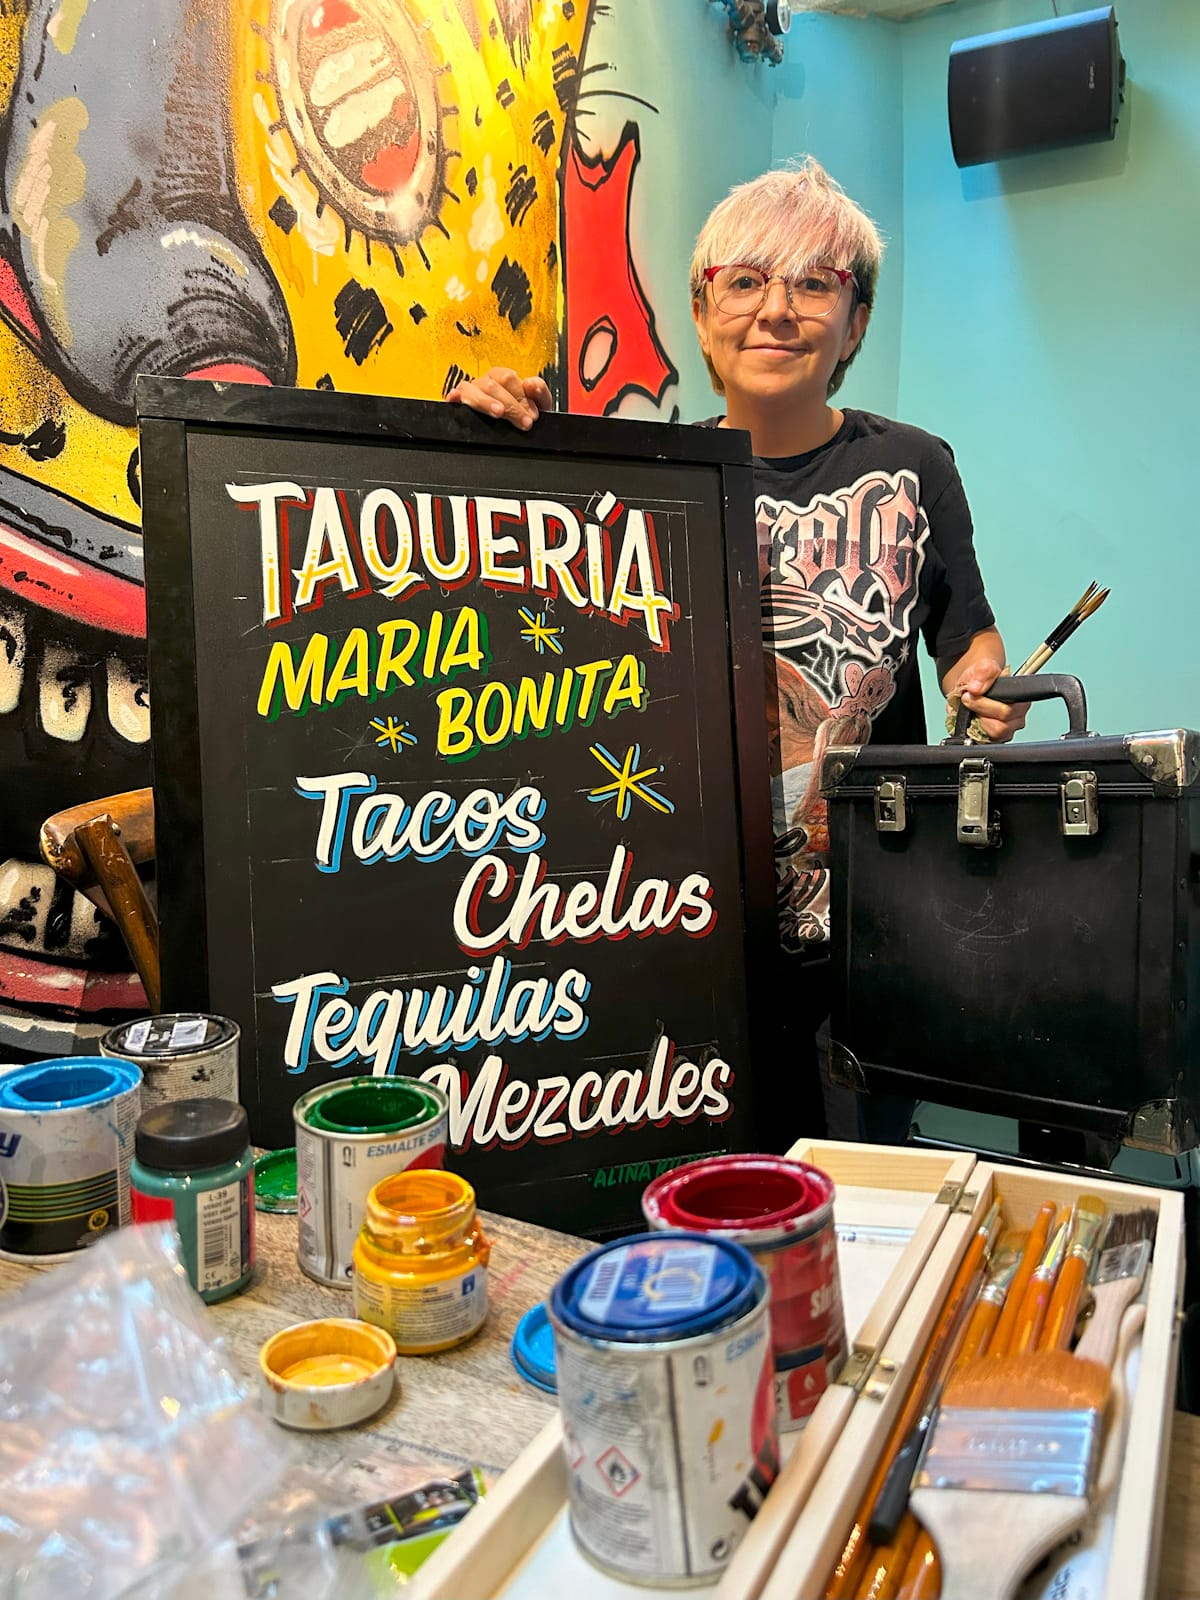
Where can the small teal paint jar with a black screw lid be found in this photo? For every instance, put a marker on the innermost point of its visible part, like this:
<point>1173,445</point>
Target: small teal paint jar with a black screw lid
<point>194,1167</point>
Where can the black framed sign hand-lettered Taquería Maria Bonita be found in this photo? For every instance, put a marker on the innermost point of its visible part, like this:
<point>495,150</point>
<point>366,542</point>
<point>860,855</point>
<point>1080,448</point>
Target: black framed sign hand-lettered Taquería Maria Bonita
<point>462,772</point>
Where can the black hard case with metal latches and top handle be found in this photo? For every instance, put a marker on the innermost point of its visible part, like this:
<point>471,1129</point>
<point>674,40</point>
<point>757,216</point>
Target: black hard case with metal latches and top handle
<point>1014,927</point>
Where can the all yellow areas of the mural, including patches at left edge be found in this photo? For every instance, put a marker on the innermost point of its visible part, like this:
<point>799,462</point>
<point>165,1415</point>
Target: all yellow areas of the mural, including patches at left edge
<point>402,186</point>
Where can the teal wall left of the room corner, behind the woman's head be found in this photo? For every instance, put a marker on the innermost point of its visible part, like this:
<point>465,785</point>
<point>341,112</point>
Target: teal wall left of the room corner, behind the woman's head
<point>719,121</point>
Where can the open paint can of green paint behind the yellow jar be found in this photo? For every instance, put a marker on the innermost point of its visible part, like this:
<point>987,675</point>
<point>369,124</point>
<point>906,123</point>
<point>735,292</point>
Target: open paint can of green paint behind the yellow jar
<point>350,1137</point>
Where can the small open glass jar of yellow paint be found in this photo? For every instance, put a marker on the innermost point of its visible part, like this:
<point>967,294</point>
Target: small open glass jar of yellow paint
<point>422,1262</point>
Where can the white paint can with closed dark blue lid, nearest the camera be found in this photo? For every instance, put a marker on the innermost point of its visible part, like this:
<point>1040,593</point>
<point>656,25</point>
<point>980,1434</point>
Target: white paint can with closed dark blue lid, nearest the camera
<point>663,1358</point>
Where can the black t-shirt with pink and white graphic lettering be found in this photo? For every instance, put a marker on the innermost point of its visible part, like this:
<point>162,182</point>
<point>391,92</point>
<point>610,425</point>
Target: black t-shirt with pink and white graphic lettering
<point>863,545</point>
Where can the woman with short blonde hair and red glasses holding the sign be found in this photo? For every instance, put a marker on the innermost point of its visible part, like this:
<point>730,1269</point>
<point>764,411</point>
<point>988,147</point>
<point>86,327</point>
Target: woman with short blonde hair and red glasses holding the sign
<point>865,538</point>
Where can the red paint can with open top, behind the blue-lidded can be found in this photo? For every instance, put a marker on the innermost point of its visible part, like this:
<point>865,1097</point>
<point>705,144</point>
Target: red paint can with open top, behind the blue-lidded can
<point>783,1212</point>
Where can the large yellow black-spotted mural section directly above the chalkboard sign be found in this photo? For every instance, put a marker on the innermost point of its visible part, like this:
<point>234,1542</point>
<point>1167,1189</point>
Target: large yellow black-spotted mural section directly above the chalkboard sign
<point>481,193</point>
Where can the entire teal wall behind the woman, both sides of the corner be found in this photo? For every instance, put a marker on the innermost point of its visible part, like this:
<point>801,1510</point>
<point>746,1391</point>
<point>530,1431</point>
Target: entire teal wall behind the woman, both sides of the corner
<point>1038,313</point>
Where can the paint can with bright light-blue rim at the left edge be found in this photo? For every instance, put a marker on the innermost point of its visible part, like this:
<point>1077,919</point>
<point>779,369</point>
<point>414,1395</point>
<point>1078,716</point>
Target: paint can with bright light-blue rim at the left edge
<point>66,1143</point>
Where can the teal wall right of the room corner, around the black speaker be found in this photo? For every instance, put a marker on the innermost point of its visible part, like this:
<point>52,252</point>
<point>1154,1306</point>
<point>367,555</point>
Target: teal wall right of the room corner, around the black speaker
<point>1052,332</point>
